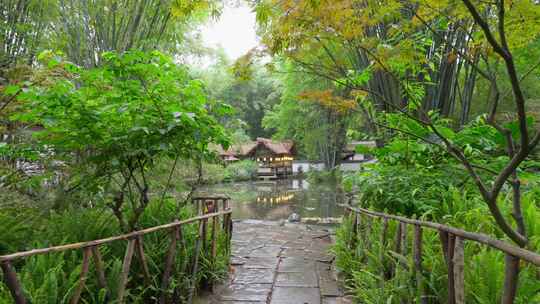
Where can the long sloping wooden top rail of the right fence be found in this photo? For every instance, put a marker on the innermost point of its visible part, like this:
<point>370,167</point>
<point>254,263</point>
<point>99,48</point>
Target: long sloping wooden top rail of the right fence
<point>523,254</point>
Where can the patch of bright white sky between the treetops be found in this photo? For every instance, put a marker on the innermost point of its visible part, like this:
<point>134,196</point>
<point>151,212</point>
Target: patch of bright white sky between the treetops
<point>234,31</point>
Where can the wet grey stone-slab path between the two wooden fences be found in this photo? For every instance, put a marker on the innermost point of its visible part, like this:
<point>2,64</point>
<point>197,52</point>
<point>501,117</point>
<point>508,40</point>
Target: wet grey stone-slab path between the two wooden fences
<point>277,263</point>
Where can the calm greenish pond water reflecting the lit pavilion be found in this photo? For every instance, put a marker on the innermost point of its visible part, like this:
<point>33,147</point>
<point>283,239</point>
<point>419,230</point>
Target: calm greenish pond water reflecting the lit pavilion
<point>277,200</point>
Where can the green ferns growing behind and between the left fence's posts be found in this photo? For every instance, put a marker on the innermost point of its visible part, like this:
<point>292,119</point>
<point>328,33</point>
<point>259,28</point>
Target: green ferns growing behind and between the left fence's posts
<point>51,278</point>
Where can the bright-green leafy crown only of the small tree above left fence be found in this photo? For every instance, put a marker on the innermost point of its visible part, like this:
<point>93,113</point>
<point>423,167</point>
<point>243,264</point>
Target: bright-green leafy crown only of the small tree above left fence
<point>136,104</point>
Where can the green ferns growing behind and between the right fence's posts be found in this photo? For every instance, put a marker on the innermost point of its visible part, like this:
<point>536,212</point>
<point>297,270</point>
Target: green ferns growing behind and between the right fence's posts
<point>377,274</point>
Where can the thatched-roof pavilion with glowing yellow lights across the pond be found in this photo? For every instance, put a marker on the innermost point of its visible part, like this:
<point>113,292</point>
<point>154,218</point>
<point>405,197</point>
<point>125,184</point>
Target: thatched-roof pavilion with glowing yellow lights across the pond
<point>274,158</point>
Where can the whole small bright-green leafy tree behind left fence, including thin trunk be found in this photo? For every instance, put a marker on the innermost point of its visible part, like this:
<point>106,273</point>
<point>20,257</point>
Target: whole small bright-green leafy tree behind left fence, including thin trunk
<point>113,123</point>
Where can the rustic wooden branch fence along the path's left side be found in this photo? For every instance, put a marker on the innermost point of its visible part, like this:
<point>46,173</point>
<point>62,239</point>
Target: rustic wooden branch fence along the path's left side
<point>208,210</point>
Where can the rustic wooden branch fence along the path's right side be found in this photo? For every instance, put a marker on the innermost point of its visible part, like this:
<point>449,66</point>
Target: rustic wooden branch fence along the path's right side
<point>452,242</point>
